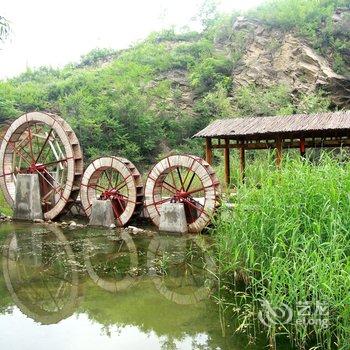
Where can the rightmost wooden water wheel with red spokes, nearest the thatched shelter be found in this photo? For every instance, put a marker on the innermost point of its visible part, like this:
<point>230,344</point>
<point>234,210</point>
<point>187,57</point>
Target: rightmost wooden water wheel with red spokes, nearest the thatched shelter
<point>184,179</point>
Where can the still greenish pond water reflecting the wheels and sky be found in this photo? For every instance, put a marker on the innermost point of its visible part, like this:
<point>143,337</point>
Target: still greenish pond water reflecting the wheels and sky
<point>102,289</point>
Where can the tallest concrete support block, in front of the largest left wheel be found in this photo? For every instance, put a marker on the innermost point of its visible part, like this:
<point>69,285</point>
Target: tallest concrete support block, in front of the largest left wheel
<point>27,198</point>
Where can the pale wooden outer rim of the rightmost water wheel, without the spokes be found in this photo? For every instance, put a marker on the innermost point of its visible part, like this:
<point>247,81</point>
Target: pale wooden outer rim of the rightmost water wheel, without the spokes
<point>199,167</point>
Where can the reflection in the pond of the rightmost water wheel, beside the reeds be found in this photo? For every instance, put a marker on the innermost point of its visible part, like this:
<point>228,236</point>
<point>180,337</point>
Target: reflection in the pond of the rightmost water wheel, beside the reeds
<point>182,268</point>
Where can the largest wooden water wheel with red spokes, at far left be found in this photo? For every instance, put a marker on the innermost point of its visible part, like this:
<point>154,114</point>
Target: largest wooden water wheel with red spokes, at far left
<point>44,144</point>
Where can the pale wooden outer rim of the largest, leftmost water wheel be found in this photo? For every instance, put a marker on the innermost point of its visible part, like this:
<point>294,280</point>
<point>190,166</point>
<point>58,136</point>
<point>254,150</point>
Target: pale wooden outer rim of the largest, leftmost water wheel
<point>74,163</point>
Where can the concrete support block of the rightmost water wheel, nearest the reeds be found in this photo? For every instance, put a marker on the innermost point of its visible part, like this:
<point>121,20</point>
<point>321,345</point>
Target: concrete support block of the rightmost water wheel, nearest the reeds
<point>173,218</point>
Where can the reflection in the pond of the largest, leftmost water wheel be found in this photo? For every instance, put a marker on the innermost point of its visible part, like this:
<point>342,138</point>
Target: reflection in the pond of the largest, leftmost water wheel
<point>40,274</point>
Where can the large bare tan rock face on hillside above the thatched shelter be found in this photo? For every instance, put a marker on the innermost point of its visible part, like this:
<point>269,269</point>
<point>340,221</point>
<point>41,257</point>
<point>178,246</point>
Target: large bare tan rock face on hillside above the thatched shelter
<point>273,57</point>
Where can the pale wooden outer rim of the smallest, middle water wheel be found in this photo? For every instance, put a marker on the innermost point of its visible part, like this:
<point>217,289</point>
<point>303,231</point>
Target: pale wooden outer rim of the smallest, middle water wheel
<point>131,179</point>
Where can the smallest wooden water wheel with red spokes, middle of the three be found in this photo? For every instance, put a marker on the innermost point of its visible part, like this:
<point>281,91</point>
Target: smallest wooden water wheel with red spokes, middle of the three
<point>116,179</point>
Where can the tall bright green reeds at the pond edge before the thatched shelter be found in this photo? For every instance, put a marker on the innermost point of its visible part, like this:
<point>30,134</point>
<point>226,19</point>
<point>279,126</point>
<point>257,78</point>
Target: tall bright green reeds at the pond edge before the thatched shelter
<point>287,241</point>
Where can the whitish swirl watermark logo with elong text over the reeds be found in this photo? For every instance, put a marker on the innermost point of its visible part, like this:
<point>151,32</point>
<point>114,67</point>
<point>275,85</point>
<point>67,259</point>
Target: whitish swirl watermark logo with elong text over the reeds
<point>306,313</point>
